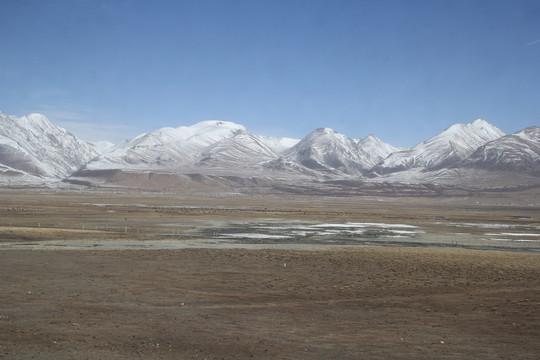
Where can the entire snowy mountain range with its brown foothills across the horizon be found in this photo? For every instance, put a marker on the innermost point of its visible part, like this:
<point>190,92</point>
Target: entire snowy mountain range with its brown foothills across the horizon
<point>224,156</point>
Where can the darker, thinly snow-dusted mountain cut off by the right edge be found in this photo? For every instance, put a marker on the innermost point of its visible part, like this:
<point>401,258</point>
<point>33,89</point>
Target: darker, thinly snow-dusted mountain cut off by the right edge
<point>515,152</point>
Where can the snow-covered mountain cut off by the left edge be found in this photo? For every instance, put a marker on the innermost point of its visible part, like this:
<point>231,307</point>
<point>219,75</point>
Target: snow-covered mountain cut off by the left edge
<point>33,145</point>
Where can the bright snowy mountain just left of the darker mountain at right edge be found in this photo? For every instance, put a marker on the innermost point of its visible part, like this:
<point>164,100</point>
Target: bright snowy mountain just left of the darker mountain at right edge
<point>443,150</point>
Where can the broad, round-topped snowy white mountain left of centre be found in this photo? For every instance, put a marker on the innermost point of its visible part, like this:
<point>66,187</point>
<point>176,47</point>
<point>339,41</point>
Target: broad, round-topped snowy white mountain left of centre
<point>208,144</point>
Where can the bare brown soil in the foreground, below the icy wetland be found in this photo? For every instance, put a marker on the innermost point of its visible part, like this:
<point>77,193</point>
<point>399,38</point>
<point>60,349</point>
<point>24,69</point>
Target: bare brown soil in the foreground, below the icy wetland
<point>375,303</point>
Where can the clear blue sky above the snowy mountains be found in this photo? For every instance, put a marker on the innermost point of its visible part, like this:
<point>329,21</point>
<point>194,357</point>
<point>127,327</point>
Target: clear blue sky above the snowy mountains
<point>401,70</point>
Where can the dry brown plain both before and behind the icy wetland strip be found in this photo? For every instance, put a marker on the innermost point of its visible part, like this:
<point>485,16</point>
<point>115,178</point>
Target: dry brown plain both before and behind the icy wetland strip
<point>329,303</point>
